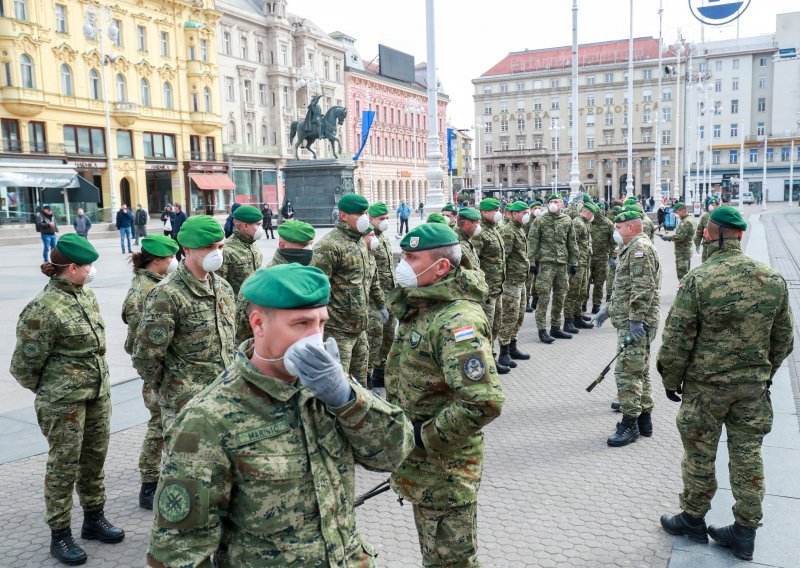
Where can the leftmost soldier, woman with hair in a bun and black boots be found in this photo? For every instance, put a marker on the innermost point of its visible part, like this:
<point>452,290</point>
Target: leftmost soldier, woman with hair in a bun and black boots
<point>61,356</point>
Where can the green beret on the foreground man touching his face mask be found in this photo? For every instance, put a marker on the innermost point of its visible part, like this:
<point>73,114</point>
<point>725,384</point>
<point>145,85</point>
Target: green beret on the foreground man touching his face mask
<point>288,287</point>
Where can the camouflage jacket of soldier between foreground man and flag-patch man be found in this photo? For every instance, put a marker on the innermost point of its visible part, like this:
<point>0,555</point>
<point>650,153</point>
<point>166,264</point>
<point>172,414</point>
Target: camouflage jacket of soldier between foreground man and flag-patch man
<point>342,254</point>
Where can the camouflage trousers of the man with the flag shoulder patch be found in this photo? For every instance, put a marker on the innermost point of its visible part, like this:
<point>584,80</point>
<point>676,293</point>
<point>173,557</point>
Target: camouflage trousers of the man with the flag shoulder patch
<point>448,537</point>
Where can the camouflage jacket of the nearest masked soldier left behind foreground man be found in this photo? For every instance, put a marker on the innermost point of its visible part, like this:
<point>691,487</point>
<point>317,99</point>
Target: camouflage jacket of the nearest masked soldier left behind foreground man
<point>186,335</point>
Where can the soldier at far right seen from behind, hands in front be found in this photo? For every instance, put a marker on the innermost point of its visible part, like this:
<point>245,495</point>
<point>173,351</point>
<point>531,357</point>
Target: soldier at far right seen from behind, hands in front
<point>725,337</point>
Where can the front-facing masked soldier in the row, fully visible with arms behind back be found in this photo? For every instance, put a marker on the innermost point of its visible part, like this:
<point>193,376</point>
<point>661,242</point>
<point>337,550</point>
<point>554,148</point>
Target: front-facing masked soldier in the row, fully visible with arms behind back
<point>552,247</point>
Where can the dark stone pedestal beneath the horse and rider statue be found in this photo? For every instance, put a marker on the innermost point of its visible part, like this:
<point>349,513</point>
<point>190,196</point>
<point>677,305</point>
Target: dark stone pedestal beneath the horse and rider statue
<point>315,186</point>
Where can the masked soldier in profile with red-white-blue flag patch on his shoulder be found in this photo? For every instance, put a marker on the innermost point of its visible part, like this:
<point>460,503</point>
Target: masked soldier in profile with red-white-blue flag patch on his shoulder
<point>441,373</point>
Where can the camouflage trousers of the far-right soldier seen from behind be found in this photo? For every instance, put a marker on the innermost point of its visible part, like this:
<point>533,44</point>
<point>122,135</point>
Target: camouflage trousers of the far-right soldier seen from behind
<point>746,412</point>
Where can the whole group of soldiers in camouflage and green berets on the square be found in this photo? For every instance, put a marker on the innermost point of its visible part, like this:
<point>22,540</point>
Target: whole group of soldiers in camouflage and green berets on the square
<point>265,386</point>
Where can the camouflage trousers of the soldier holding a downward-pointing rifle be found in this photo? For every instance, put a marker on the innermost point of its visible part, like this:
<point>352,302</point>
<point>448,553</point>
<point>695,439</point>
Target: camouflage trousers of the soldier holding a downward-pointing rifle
<point>632,373</point>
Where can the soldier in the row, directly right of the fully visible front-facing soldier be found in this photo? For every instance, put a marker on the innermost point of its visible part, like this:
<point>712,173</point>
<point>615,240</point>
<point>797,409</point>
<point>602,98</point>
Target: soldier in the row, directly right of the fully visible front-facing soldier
<point>579,282</point>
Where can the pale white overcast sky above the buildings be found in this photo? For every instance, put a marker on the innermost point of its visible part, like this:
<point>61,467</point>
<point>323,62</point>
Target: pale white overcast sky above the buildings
<point>472,36</point>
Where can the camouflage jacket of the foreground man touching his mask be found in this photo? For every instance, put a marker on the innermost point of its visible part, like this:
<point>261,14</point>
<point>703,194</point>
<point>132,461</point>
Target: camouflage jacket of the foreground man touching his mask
<point>260,473</point>
